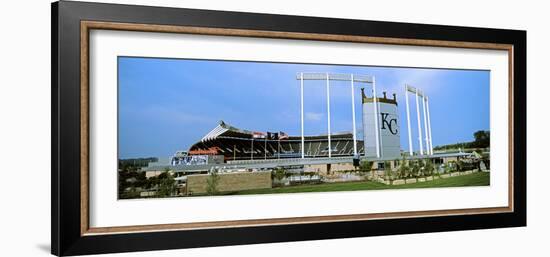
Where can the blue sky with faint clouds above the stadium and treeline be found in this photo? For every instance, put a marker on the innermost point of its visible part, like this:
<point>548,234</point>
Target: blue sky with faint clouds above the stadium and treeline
<point>168,104</point>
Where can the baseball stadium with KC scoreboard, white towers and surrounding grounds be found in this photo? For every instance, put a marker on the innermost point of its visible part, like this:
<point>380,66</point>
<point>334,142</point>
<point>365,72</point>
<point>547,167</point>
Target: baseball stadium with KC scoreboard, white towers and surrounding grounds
<point>246,160</point>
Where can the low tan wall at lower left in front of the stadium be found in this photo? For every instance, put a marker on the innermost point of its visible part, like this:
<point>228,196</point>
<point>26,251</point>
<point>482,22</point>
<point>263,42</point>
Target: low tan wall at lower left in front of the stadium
<point>196,184</point>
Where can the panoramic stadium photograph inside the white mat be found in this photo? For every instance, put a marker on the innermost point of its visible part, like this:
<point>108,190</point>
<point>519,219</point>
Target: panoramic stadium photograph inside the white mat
<point>204,128</point>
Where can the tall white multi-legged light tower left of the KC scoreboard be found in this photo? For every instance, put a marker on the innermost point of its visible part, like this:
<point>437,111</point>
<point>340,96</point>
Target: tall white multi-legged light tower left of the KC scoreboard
<point>328,77</point>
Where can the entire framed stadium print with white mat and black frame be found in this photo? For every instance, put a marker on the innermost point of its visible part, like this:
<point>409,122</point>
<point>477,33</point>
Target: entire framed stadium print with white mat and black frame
<point>178,128</point>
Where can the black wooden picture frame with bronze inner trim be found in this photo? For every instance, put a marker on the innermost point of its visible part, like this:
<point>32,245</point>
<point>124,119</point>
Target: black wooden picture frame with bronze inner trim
<point>71,23</point>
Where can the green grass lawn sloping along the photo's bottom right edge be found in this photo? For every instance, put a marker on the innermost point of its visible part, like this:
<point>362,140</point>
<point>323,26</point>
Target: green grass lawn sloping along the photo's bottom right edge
<point>475,179</point>
